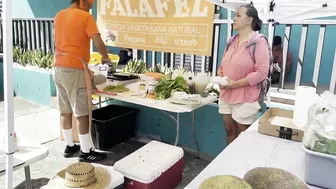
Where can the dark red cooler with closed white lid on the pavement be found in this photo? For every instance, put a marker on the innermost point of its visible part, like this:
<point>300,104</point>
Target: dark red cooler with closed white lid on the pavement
<point>154,166</point>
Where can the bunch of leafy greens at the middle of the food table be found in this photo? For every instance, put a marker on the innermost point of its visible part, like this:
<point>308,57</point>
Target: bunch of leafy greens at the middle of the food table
<point>165,87</point>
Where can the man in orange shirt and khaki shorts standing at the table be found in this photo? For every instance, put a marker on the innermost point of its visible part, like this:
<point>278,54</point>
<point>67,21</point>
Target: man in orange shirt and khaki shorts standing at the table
<point>74,27</point>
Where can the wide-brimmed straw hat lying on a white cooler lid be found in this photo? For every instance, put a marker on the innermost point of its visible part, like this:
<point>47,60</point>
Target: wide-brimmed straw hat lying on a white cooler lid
<point>81,176</point>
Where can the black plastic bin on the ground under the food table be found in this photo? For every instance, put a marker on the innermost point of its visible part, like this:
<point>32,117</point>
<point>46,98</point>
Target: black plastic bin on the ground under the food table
<point>112,125</point>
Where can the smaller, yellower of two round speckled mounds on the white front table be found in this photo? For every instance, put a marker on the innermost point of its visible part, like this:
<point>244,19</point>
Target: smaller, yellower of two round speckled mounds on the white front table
<point>225,182</point>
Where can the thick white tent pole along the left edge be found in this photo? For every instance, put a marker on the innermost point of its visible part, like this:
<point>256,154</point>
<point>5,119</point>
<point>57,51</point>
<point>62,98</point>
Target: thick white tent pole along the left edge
<point>8,90</point>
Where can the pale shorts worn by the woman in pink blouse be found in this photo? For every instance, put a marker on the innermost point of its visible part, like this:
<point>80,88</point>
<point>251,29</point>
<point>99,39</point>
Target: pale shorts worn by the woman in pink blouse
<point>244,113</point>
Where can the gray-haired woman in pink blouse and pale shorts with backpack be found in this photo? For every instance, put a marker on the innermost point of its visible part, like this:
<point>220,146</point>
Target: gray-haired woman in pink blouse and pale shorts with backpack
<point>238,101</point>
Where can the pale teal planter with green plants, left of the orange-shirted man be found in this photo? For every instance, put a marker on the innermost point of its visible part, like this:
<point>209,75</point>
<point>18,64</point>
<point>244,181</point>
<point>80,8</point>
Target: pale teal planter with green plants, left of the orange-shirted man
<point>33,75</point>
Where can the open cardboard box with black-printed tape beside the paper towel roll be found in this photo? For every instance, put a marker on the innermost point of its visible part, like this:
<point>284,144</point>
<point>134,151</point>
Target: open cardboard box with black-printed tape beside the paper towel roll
<point>279,123</point>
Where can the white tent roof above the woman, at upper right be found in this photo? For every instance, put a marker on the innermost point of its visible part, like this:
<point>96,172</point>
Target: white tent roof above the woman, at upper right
<point>285,9</point>
